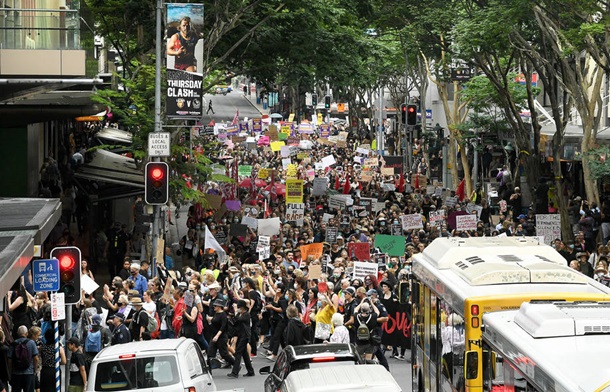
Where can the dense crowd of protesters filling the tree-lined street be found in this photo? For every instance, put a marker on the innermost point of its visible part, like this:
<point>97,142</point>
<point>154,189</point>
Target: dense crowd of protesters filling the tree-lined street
<point>240,298</point>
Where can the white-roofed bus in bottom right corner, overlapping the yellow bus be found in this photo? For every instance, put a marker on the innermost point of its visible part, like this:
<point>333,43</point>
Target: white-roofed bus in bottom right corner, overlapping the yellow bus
<point>546,347</point>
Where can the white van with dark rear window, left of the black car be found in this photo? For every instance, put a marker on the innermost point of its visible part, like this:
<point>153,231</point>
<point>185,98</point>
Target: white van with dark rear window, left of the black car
<point>168,365</point>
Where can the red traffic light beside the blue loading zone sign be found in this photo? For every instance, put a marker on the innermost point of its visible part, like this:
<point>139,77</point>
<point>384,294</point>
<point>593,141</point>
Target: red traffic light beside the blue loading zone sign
<point>69,272</point>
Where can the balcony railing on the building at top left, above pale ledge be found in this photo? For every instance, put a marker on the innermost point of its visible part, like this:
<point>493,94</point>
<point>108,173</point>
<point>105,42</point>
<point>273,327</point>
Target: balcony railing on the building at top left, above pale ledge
<point>31,28</point>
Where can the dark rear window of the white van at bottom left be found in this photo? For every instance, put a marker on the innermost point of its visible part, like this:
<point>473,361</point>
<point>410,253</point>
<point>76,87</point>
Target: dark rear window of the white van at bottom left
<point>136,373</point>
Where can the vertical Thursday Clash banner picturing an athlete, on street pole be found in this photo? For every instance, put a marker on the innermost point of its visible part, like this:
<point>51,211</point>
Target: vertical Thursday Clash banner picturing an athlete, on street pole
<point>184,53</point>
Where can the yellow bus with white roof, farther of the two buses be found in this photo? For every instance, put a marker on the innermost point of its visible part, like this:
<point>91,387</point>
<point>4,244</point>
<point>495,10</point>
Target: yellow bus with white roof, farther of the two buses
<point>456,281</point>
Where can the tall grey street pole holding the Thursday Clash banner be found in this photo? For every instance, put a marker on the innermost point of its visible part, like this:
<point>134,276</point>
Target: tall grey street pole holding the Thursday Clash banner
<point>157,209</point>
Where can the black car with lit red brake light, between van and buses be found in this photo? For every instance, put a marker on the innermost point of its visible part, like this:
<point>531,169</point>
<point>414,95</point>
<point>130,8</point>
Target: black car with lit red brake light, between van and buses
<point>309,356</point>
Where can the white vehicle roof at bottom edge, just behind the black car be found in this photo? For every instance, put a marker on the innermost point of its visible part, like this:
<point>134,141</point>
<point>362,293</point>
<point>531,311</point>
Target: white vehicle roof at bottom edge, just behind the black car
<point>343,377</point>
